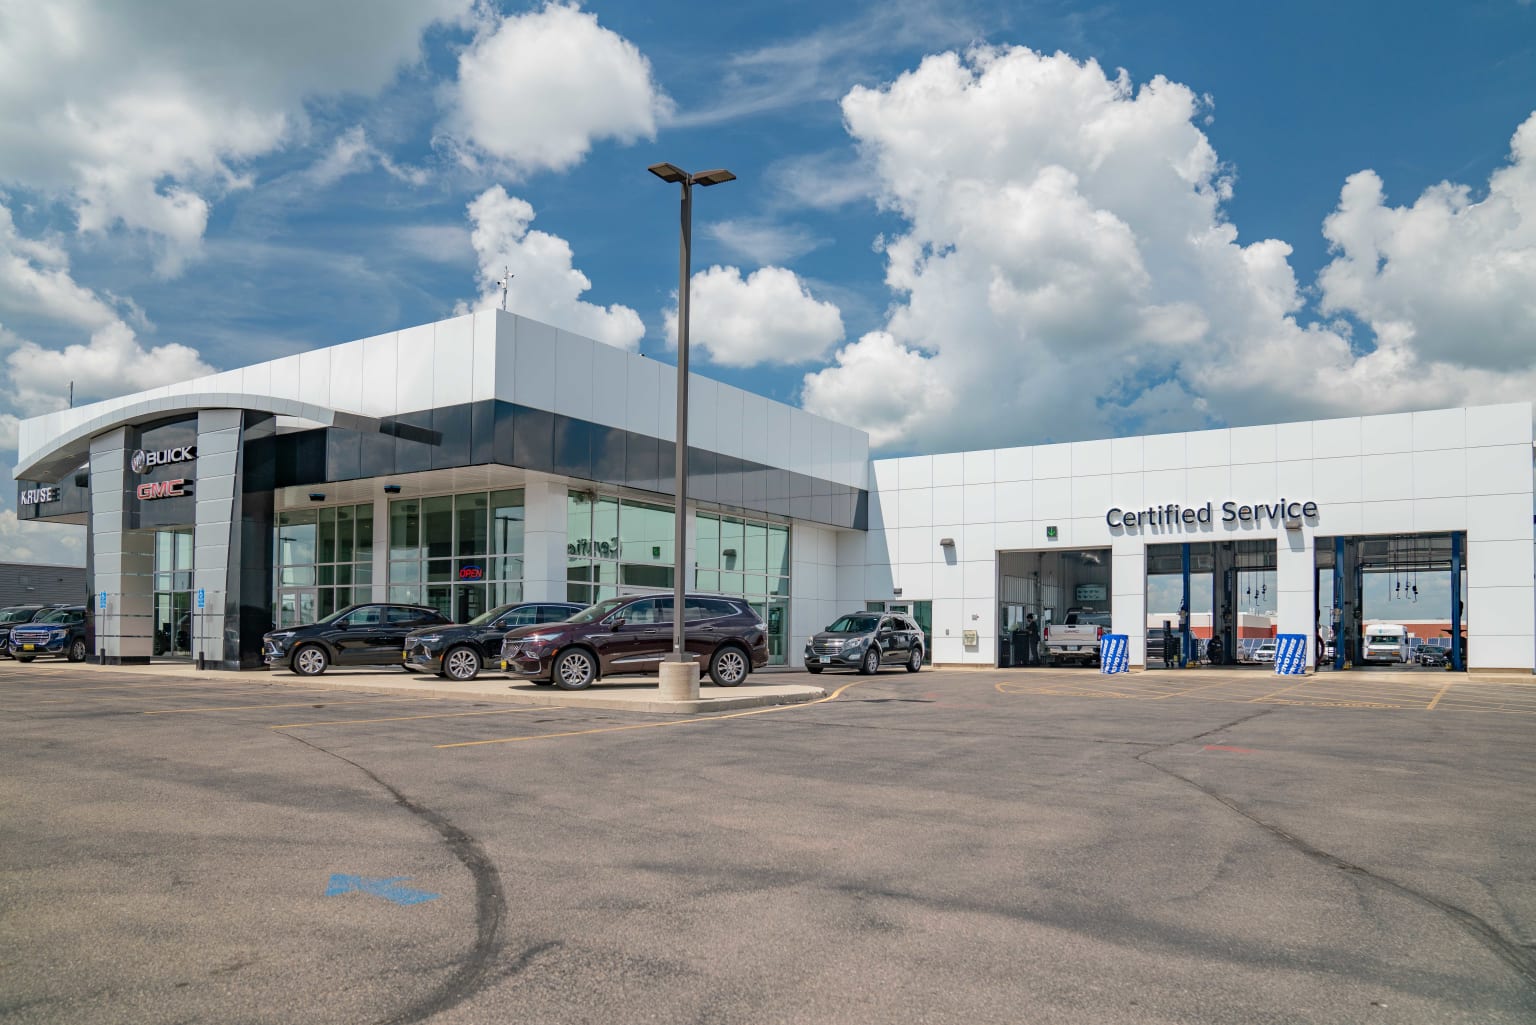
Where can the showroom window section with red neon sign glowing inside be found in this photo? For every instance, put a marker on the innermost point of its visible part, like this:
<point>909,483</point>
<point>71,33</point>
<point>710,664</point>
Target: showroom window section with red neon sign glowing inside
<point>460,554</point>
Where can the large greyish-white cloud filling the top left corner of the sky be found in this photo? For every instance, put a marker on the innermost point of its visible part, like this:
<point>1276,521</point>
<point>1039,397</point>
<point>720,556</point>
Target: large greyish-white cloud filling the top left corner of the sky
<point>141,113</point>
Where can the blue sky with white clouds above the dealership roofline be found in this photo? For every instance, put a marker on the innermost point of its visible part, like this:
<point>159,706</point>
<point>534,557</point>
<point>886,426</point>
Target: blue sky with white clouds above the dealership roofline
<point>956,225</point>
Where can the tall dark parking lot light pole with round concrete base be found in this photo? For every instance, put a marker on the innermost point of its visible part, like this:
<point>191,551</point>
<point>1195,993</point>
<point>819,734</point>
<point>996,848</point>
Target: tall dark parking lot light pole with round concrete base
<point>680,677</point>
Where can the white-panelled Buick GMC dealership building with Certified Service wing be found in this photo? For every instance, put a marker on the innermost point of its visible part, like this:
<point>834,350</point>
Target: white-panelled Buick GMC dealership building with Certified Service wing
<point>494,459</point>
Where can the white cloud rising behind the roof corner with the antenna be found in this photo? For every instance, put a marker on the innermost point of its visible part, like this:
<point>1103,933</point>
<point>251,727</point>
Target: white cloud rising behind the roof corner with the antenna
<point>546,284</point>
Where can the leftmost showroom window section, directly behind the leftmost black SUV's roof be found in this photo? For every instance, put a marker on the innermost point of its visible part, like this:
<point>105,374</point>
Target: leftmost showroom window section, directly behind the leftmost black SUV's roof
<point>325,562</point>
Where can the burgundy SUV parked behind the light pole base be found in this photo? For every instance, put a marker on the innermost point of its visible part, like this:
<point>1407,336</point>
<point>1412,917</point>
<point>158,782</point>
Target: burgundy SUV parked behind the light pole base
<point>635,635</point>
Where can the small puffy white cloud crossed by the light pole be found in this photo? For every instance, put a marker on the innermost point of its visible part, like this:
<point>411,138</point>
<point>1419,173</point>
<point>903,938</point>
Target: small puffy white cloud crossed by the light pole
<point>769,317</point>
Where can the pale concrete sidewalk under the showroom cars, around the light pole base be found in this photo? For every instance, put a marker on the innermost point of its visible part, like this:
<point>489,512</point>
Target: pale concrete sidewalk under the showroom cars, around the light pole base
<point>629,694</point>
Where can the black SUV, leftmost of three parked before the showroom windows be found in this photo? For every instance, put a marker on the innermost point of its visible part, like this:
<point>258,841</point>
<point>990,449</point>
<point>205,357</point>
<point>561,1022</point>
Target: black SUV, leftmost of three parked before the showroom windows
<point>357,635</point>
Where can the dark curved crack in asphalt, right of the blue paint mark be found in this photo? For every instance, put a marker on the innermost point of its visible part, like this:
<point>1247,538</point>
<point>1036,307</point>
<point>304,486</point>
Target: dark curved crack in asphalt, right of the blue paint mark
<point>491,906</point>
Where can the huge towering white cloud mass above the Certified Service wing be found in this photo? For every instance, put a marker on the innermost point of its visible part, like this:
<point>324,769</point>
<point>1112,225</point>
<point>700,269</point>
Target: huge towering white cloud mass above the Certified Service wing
<point>1068,267</point>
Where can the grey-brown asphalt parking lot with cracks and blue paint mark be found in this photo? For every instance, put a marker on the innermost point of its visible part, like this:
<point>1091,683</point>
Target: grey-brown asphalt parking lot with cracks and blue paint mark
<point>1008,846</point>
